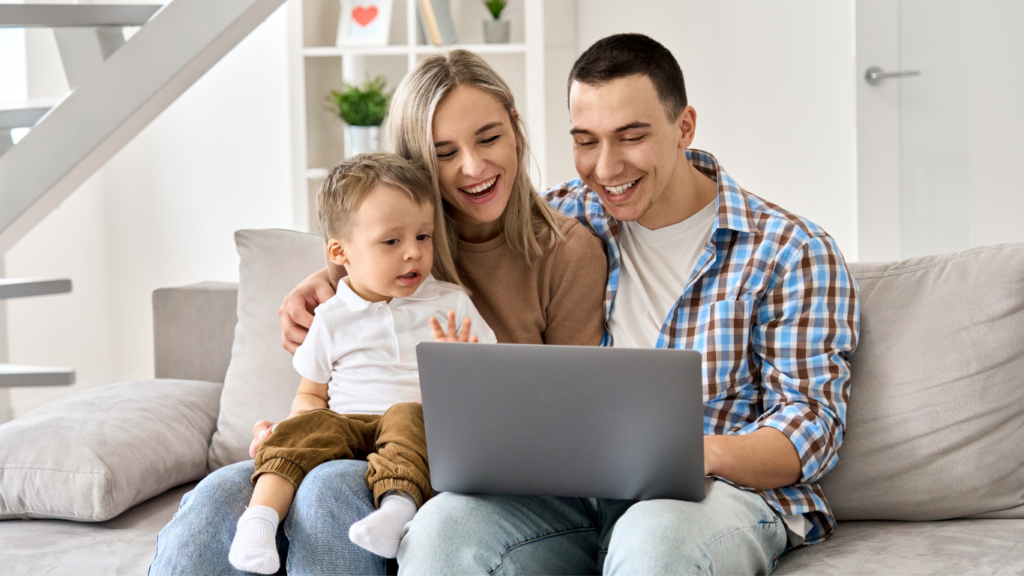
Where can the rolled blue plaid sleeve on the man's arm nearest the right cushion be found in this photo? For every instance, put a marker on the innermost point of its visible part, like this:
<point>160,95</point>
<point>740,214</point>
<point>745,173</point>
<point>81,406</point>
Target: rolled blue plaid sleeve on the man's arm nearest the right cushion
<point>804,335</point>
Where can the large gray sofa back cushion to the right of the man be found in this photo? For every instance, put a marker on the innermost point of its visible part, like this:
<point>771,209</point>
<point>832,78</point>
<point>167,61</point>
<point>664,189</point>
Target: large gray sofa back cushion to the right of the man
<point>935,426</point>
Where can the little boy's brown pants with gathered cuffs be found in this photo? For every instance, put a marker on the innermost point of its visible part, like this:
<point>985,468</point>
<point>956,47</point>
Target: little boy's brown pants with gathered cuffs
<point>395,445</point>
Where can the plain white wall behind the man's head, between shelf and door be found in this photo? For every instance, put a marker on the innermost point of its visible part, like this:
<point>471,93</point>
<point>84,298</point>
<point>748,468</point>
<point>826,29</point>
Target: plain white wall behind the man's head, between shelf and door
<point>774,85</point>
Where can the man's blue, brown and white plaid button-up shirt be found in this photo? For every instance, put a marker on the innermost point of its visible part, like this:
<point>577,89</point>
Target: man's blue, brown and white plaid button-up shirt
<point>774,311</point>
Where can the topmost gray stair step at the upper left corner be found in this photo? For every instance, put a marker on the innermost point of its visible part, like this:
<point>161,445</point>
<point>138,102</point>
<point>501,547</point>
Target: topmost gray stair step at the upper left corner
<point>56,16</point>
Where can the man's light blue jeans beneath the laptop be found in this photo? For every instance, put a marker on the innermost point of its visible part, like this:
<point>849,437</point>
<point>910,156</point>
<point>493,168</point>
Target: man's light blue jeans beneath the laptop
<point>731,532</point>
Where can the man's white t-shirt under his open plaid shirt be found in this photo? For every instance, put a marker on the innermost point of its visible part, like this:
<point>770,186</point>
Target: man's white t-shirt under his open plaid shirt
<point>655,267</point>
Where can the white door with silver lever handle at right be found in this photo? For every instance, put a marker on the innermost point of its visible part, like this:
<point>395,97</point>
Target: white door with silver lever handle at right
<point>941,152</point>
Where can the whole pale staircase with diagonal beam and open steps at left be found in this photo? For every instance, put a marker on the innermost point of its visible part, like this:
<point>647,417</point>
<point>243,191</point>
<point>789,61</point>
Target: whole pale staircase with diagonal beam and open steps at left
<point>118,89</point>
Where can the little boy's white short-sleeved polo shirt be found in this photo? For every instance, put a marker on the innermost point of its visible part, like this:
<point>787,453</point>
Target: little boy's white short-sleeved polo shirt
<point>366,352</point>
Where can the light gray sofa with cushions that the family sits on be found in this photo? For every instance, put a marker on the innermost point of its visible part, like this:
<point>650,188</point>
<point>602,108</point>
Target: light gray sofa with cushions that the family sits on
<point>930,477</point>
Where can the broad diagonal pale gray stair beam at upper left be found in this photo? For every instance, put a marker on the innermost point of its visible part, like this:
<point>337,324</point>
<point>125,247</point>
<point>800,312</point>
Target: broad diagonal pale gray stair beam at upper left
<point>115,102</point>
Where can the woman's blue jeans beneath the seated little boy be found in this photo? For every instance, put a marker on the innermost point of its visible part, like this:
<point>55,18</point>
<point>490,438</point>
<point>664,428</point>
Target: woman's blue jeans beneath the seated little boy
<point>314,539</point>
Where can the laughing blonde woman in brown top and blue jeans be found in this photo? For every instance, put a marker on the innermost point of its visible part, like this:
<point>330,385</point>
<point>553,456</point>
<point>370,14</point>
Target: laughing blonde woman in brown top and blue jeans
<point>535,276</point>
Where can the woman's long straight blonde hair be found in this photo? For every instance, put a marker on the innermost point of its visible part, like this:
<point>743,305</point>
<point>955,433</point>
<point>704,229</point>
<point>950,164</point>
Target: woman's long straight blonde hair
<point>528,220</point>
